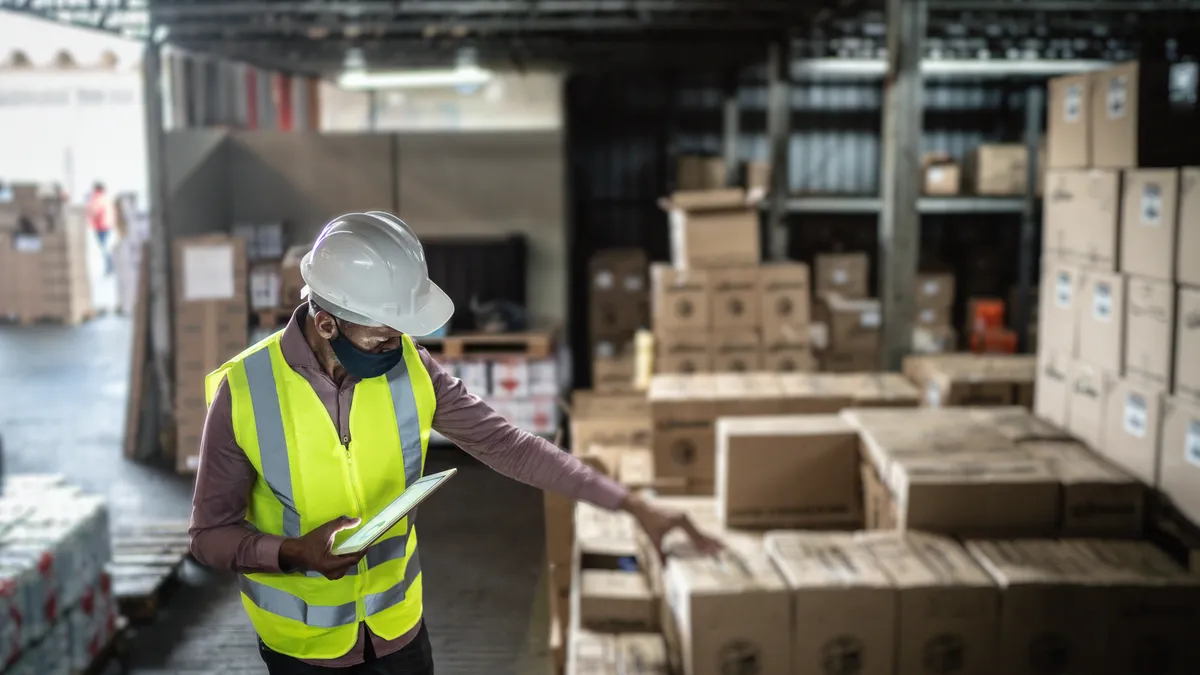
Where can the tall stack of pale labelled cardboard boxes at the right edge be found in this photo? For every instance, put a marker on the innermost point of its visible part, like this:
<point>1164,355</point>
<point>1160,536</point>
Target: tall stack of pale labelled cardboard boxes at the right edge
<point>1119,338</point>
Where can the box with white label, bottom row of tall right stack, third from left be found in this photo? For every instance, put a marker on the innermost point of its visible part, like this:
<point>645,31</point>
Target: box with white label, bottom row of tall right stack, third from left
<point>1132,431</point>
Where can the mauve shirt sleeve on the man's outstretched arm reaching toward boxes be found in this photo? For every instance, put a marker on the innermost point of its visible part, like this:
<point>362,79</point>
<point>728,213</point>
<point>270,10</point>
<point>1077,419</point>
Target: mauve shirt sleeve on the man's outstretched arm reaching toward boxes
<point>473,426</point>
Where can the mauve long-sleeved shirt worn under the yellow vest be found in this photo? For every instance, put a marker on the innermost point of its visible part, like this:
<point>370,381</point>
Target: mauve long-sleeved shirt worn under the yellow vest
<point>223,539</point>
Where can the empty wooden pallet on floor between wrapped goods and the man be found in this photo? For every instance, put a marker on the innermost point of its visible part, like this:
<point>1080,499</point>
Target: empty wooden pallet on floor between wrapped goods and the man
<point>147,558</point>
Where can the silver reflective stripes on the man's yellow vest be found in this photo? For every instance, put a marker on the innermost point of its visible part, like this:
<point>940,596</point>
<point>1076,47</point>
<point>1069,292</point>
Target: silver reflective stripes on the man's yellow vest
<point>278,475</point>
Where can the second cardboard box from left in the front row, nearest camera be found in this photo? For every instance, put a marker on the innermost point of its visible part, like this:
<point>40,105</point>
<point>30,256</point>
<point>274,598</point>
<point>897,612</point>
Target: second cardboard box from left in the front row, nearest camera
<point>843,605</point>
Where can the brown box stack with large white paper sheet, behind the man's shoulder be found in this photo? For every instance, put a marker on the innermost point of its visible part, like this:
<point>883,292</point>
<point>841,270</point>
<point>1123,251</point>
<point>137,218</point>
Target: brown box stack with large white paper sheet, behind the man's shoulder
<point>211,328</point>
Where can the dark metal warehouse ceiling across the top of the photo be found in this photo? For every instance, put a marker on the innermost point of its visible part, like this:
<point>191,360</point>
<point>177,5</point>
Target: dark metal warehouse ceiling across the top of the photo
<point>316,37</point>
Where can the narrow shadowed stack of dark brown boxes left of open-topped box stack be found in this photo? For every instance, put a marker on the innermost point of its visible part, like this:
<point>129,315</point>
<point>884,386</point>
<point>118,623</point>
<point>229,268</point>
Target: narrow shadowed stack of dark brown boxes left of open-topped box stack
<point>619,303</point>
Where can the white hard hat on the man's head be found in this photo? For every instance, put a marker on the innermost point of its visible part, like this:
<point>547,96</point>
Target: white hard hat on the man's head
<point>370,270</point>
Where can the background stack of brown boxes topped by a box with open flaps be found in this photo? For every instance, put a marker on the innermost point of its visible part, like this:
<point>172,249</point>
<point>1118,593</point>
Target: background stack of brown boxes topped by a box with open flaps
<point>716,309</point>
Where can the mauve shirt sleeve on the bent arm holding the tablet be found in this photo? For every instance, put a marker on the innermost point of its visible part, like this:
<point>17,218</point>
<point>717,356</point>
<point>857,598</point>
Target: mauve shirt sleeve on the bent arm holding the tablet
<point>220,535</point>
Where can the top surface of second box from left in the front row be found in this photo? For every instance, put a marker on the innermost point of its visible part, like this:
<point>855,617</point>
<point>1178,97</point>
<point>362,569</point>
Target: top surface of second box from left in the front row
<point>824,560</point>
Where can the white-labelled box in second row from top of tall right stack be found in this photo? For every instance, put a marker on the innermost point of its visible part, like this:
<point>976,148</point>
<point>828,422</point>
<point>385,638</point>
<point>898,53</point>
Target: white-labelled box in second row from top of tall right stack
<point>1150,223</point>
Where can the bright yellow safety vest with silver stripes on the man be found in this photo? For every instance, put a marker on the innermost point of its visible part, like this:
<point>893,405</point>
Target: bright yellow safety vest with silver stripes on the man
<point>309,476</point>
